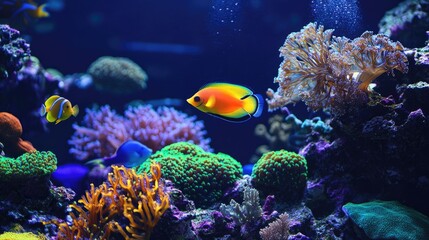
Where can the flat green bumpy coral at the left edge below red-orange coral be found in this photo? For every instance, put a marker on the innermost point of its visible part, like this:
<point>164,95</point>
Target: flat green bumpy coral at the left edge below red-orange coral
<point>28,165</point>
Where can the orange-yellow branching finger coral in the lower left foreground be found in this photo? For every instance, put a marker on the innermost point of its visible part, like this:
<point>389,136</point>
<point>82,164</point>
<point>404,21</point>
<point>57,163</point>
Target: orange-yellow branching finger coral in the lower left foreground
<point>127,205</point>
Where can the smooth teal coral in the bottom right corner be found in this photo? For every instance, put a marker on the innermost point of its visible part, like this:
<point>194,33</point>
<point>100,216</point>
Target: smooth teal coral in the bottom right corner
<point>388,220</point>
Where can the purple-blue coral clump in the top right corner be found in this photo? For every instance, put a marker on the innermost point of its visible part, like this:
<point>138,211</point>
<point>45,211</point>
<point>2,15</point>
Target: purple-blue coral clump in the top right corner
<point>406,21</point>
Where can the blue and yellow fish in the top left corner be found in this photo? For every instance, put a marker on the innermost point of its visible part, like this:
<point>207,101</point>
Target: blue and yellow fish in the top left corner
<point>12,8</point>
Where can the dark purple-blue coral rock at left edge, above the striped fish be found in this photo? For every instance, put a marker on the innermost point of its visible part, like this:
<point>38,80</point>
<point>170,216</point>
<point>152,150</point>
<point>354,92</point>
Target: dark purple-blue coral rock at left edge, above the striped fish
<point>13,50</point>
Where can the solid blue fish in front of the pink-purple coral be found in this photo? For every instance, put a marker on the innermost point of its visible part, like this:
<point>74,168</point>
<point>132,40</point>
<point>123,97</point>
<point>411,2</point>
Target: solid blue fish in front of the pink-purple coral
<point>130,154</point>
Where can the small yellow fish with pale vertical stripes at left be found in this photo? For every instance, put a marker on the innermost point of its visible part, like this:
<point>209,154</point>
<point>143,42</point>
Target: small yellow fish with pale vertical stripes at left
<point>58,109</point>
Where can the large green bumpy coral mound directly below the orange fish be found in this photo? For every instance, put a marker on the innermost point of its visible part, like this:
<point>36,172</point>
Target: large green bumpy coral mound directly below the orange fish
<point>202,176</point>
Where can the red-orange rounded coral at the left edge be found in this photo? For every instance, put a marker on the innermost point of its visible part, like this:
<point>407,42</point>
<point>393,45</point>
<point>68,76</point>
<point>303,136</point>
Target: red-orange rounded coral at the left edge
<point>10,136</point>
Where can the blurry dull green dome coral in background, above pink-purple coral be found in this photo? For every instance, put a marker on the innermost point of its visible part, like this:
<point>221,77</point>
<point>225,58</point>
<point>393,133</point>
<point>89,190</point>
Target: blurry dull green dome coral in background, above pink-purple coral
<point>117,75</point>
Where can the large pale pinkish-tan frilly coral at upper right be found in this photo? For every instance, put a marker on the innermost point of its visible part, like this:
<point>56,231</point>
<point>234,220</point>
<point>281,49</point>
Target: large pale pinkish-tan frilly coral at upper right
<point>332,73</point>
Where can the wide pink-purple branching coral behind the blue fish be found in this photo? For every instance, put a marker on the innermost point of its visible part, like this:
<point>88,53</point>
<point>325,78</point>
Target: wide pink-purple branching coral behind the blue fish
<point>103,130</point>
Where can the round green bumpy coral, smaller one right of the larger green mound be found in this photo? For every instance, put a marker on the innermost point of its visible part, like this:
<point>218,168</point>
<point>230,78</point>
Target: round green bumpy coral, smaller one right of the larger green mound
<point>281,173</point>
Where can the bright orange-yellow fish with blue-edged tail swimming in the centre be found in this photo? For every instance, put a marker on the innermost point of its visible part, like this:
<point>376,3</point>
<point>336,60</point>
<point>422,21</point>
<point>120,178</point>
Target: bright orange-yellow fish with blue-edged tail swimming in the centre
<point>228,101</point>
